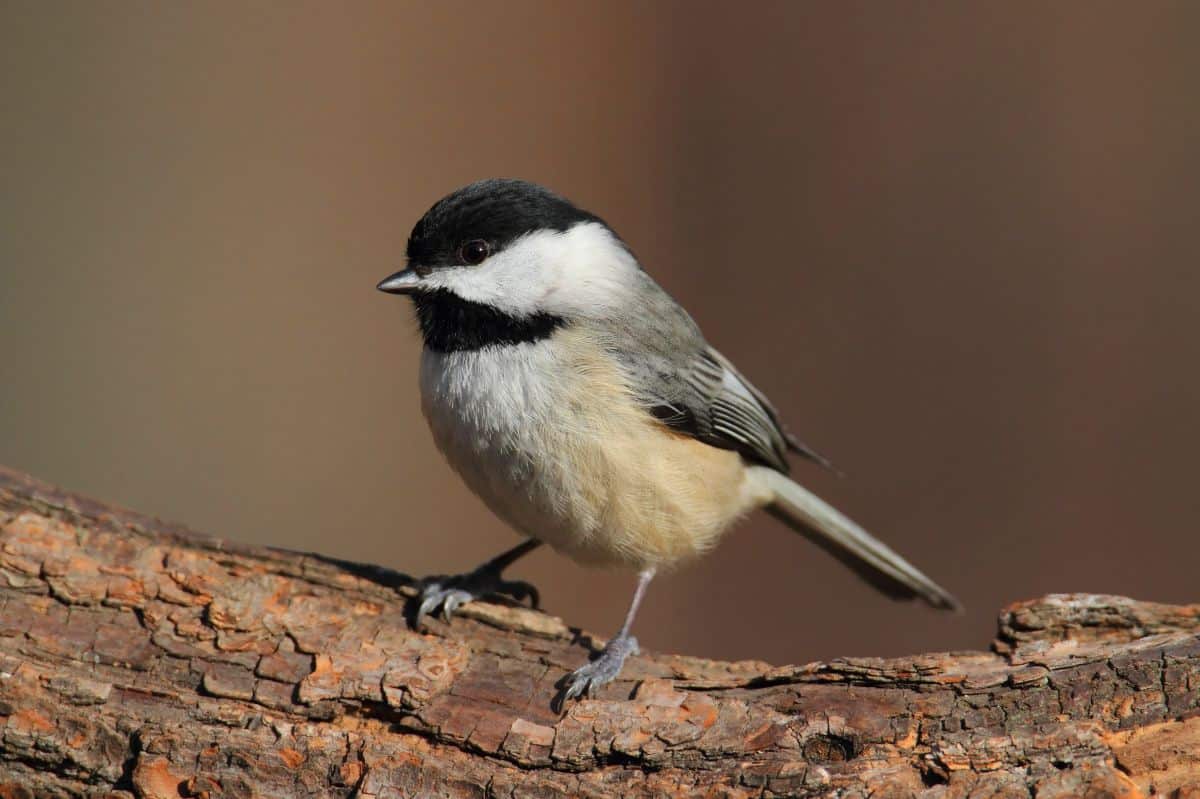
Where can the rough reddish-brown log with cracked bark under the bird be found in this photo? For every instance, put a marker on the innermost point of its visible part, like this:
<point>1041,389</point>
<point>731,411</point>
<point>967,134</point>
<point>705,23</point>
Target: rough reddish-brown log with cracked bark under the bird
<point>139,659</point>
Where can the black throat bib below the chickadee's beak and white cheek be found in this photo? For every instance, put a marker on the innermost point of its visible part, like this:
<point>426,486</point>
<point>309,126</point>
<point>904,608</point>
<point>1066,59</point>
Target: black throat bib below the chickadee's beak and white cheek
<point>452,325</point>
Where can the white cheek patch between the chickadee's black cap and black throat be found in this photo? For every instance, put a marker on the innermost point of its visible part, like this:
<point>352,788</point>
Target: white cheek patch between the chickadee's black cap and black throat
<point>581,272</point>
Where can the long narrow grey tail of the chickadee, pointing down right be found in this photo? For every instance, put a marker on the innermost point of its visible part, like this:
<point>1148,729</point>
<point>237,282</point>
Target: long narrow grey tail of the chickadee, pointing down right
<point>833,532</point>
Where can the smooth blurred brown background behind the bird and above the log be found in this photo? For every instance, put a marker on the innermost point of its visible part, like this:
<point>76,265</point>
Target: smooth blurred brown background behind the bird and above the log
<point>956,243</point>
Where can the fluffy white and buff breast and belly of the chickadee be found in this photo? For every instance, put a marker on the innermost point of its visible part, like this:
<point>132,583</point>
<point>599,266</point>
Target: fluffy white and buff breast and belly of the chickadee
<point>551,442</point>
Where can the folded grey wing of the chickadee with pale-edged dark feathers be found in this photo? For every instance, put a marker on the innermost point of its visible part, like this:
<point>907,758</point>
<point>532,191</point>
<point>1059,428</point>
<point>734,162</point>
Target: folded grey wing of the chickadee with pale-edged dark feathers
<point>694,389</point>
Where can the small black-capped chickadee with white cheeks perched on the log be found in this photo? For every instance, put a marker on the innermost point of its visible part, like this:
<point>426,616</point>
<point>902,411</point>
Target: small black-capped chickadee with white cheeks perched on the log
<point>584,406</point>
